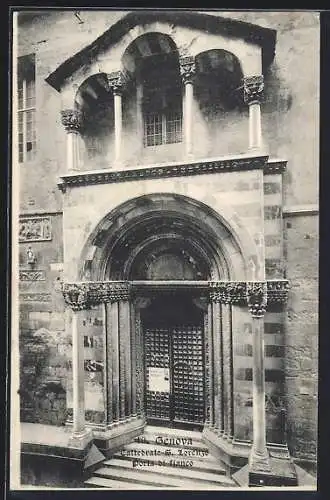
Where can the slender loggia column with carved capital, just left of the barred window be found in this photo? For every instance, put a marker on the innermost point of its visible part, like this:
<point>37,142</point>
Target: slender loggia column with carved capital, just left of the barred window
<point>116,82</point>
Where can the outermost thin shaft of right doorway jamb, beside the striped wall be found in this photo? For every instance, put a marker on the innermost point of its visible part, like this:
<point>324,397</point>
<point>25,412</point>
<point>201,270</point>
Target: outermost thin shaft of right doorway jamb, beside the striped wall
<point>227,369</point>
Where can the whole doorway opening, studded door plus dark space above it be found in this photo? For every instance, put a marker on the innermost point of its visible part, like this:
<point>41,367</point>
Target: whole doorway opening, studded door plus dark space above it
<point>173,337</point>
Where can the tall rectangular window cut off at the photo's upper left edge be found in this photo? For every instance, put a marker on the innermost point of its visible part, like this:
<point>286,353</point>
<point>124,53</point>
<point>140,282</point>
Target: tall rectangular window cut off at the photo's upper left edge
<point>26,108</point>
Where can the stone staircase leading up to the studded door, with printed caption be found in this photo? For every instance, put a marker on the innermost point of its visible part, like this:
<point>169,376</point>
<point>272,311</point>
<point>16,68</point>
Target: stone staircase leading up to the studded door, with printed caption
<point>162,459</point>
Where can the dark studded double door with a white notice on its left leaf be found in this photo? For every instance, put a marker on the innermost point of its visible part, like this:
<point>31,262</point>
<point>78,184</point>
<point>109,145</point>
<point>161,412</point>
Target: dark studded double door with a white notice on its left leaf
<point>174,371</point>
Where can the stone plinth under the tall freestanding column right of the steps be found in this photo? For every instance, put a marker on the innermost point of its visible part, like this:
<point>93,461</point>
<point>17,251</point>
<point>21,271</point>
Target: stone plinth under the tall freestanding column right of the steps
<point>282,473</point>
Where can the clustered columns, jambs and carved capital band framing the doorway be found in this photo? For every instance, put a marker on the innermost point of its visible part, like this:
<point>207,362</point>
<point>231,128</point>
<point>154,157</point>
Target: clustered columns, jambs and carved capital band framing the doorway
<point>122,302</point>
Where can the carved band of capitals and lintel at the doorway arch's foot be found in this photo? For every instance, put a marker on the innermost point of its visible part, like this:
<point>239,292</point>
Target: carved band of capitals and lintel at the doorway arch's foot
<point>83,295</point>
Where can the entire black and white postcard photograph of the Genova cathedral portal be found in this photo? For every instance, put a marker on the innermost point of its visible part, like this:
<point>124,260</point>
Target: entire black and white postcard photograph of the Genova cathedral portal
<point>165,249</point>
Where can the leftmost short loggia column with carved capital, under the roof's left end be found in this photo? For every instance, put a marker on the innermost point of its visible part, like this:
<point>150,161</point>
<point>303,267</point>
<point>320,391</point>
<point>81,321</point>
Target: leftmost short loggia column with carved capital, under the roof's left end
<point>72,122</point>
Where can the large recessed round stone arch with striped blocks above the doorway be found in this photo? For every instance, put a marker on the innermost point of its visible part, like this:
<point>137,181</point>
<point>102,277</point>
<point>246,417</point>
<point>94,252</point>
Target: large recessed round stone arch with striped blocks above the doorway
<point>220,244</point>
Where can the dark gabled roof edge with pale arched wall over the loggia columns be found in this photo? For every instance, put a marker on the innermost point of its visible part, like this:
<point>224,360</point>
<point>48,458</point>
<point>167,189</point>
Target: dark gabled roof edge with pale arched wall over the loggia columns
<point>69,75</point>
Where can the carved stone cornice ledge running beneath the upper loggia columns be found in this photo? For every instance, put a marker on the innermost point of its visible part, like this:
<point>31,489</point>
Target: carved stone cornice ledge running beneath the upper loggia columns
<point>157,172</point>
